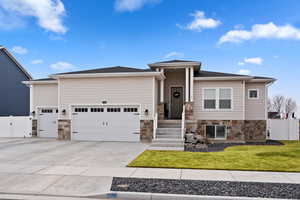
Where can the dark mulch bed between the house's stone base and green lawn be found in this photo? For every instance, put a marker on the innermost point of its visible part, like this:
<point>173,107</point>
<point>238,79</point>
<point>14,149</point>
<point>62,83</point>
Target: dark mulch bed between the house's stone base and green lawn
<point>221,146</point>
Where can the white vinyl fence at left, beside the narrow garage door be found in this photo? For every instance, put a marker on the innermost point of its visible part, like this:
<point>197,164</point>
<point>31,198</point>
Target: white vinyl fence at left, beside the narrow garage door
<point>15,126</point>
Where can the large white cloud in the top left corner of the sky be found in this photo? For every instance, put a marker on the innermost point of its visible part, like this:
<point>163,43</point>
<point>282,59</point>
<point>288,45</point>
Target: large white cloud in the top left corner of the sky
<point>49,13</point>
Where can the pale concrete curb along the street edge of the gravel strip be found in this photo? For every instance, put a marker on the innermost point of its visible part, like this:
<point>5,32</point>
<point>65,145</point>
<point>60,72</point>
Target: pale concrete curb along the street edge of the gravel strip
<point>163,196</point>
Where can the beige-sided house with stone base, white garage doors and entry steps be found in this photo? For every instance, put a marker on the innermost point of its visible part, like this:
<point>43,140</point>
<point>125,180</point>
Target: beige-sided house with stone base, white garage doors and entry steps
<point>158,103</point>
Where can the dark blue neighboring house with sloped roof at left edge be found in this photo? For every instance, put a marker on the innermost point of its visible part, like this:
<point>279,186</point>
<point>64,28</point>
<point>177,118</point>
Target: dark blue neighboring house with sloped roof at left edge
<point>14,94</point>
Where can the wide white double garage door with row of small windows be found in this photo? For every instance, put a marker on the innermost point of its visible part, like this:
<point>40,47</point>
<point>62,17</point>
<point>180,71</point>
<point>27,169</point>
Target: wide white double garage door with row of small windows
<point>106,123</point>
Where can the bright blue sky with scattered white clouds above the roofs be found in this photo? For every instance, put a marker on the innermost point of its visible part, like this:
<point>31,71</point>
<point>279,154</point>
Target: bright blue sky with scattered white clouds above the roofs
<point>250,37</point>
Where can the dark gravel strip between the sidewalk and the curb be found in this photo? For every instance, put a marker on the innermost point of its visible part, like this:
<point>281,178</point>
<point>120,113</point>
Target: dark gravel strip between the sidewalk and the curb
<point>209,188</point>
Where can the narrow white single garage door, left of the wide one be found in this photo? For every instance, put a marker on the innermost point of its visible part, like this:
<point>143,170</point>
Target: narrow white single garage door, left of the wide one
<point>47,122</point>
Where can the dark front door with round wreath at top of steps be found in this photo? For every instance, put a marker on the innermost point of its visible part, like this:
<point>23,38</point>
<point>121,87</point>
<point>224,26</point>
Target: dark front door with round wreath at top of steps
<point>176,102</point>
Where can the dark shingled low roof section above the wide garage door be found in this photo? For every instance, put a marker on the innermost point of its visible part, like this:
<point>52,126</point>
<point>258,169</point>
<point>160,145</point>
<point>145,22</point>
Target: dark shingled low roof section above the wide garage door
<point>116,69</point>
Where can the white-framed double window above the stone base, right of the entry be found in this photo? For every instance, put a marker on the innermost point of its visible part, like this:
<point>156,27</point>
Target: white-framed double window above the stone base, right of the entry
<point>217,98</point>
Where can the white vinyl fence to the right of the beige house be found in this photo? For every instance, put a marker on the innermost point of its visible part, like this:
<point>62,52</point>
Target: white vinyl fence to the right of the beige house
<point>280,129</point>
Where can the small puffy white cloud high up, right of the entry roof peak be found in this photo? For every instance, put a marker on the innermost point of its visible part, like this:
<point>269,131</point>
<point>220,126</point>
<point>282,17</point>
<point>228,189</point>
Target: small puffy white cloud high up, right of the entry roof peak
<point>200,22</point>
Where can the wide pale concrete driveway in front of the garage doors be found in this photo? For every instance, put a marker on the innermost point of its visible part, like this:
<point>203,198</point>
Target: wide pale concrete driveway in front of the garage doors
<point>46,166</point>
